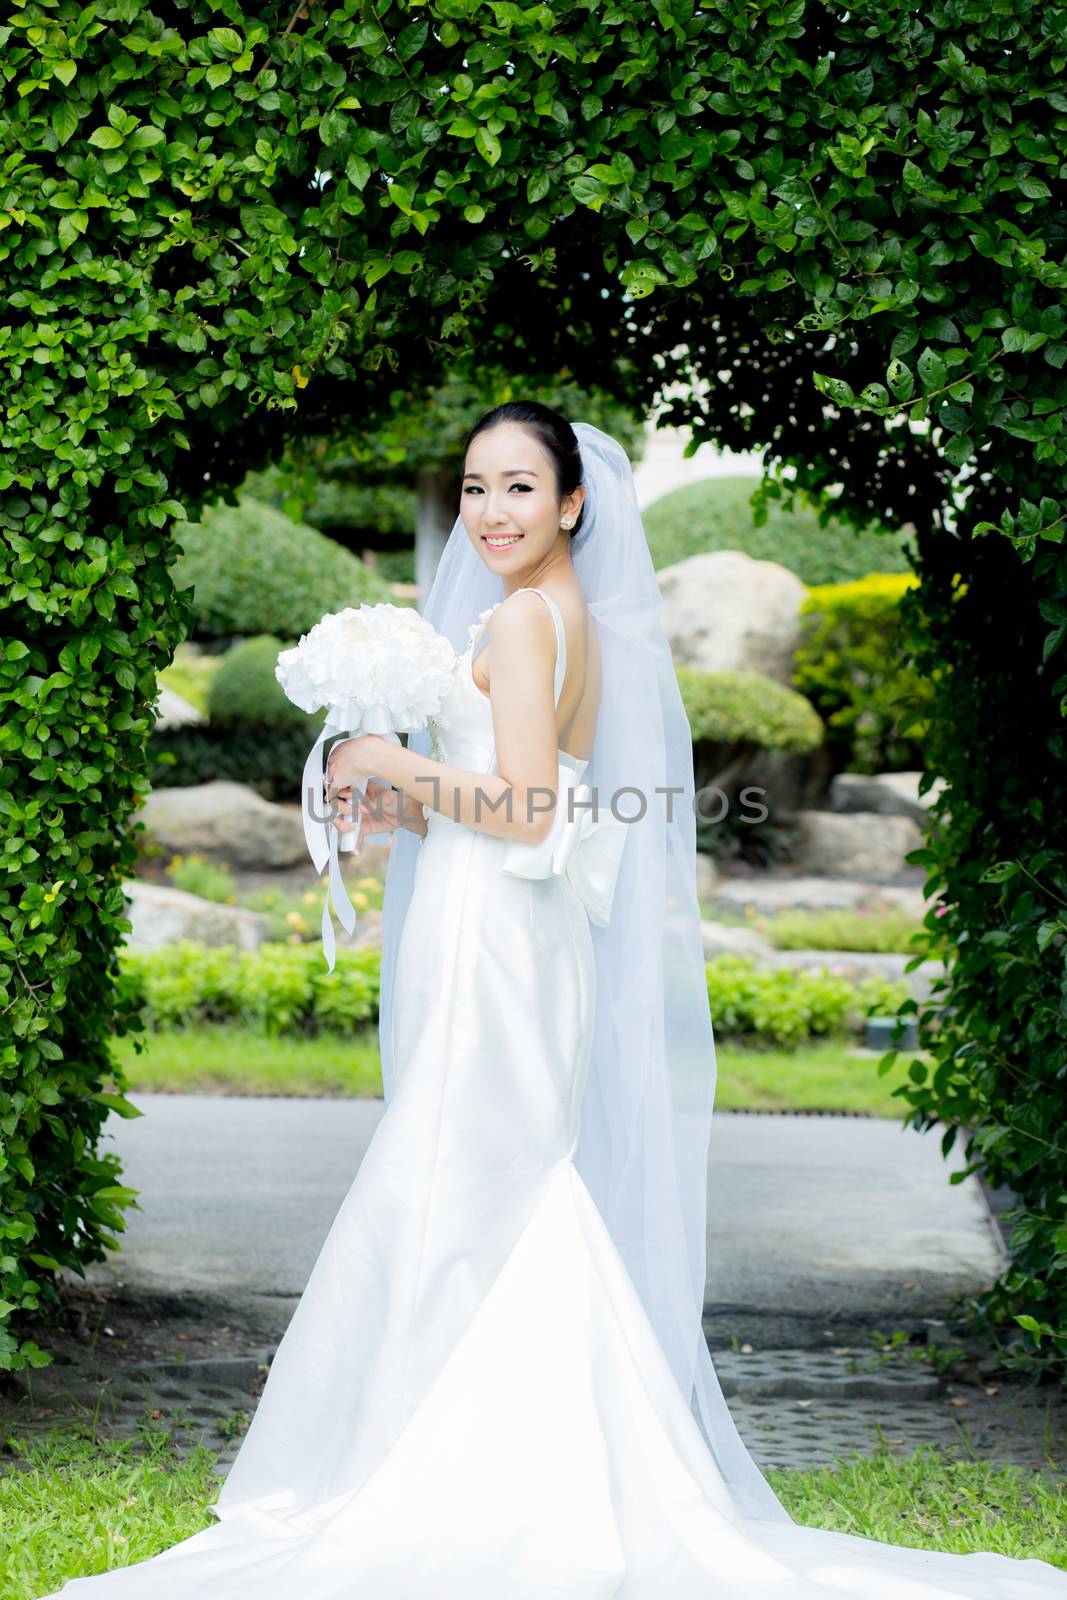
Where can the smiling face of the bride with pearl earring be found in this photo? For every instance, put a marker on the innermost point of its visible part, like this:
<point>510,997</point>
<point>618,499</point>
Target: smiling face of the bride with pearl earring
<point>510,500</point>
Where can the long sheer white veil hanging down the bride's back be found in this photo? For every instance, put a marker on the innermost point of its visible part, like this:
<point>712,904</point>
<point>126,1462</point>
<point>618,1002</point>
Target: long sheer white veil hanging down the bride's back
<point>652,1082</point>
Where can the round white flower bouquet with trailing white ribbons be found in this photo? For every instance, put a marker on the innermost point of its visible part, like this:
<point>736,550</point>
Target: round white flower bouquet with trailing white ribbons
<point>377,670</point>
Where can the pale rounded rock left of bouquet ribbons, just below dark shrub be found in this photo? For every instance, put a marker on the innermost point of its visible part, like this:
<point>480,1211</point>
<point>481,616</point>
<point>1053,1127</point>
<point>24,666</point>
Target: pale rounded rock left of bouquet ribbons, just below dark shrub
<point>226,822</point>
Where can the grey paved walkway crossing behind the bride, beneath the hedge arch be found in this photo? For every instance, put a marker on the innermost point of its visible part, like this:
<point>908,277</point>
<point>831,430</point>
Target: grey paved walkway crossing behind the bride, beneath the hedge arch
<point>823,1230</point>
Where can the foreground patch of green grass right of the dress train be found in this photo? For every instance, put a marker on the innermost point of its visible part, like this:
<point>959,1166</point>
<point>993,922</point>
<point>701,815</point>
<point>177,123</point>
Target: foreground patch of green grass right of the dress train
<point>933,1502</point>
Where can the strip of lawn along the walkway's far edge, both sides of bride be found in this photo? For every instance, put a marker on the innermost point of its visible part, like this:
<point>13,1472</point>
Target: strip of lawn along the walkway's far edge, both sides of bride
<point>234,1062</point>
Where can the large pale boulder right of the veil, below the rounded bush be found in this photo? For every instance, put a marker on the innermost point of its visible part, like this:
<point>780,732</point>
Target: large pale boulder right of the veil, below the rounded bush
<point>725,612</point>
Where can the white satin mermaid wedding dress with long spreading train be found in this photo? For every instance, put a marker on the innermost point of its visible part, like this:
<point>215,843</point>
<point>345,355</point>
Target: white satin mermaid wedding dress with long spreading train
<point>471,1402</point>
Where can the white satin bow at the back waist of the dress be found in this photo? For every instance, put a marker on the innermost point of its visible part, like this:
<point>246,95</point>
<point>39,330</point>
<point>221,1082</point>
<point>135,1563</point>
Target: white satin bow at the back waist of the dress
<point>585,850</point>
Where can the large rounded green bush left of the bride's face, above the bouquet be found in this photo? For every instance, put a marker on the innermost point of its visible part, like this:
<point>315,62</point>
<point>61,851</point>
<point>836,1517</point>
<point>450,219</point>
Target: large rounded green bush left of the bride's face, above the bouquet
<point>254,570</point>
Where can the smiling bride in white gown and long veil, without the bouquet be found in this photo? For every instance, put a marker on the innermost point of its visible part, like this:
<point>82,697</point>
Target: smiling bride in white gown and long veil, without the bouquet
<point>497,1385</point>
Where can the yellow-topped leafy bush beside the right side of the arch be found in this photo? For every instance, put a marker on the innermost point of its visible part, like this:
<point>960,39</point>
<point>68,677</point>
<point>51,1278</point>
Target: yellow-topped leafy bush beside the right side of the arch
<point>853,666</point>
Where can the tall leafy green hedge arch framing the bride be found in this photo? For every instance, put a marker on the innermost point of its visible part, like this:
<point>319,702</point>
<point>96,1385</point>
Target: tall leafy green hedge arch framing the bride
<point>225,225</point>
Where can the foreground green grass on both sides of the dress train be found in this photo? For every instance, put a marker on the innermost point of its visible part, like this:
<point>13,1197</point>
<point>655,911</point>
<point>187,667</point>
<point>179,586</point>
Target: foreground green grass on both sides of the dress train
<point>73,1506</point>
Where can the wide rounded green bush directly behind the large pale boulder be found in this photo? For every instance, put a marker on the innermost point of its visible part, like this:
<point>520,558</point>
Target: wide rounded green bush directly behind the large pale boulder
<point>716,514</point>
